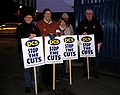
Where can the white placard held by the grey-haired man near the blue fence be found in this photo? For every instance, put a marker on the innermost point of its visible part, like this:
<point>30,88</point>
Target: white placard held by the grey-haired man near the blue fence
<point>87,45</point>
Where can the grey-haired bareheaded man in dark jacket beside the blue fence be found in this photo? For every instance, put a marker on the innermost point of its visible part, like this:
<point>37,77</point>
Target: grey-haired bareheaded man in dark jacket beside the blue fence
<point>90,25</point>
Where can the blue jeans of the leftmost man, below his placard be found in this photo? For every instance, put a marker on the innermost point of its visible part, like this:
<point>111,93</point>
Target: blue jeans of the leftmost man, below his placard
<point>28,75</point>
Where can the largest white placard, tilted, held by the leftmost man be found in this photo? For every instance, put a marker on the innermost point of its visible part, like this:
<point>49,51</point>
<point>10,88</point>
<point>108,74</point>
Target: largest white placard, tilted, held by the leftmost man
<point>32,52</point>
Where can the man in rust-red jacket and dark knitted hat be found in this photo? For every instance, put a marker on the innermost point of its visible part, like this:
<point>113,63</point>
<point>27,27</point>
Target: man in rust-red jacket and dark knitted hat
<point>47,27</point>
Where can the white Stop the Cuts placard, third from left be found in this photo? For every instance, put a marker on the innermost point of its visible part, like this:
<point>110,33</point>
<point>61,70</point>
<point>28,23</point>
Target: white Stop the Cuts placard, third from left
<point>70,47</point>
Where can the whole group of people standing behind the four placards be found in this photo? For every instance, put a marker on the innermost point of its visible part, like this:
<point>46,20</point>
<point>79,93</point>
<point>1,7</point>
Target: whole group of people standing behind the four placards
<point>48,27</point>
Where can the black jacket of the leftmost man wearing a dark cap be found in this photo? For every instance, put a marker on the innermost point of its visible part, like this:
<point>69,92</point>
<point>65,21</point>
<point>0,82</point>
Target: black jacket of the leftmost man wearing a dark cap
<point>23,31</point>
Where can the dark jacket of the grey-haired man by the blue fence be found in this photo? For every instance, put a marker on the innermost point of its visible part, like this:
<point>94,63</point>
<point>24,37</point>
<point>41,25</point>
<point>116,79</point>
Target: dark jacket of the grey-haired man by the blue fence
<point>91,27</point>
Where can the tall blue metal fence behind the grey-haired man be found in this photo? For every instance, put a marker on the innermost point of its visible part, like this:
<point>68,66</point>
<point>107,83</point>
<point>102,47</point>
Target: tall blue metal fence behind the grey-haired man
<point>108,12</point>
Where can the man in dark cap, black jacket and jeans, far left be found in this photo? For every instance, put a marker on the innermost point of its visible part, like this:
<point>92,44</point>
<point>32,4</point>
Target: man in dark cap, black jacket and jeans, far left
<point>27,30</point>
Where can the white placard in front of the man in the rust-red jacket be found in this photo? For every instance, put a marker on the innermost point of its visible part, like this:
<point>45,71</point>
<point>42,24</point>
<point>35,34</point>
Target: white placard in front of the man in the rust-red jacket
<point>53,50</point>
